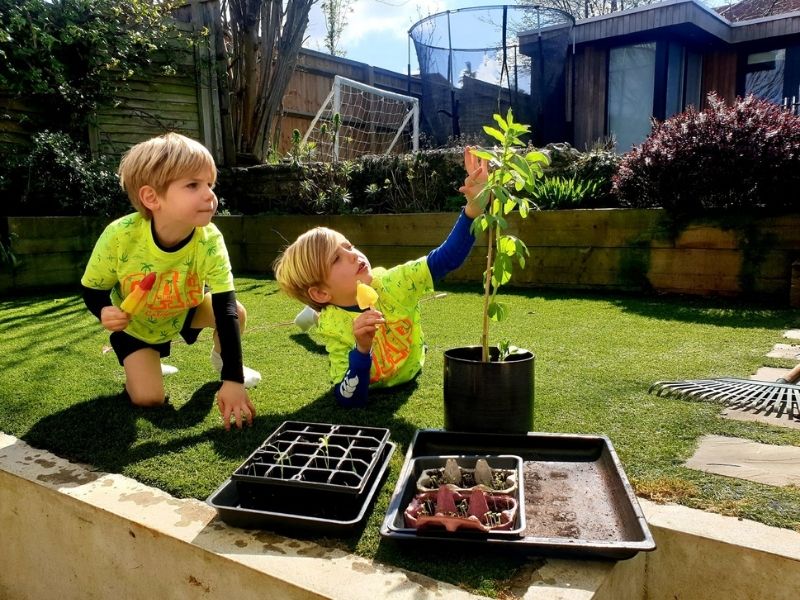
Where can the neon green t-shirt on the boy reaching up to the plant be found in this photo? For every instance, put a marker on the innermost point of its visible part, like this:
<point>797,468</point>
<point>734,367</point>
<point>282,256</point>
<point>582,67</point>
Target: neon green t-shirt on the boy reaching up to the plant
<point>398,351</point>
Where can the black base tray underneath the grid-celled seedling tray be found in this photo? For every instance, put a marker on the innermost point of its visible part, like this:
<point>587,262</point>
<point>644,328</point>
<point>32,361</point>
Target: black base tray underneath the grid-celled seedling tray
<point>310,517</point>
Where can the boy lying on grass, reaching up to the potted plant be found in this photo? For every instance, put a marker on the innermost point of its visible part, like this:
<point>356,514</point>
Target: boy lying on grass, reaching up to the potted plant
<point>382,345</point>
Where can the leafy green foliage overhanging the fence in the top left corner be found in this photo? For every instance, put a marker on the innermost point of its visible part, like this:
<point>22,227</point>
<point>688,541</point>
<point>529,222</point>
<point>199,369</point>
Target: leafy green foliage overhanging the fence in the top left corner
<point>60,52</point>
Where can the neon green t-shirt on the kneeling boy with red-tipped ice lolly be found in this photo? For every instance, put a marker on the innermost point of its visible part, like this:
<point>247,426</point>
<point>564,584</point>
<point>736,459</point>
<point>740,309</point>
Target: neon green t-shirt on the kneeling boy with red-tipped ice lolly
<point>126,252</point>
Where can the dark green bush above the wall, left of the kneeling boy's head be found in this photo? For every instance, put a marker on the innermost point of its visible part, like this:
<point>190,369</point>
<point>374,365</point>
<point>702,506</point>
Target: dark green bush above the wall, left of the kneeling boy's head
<point>74,185</point>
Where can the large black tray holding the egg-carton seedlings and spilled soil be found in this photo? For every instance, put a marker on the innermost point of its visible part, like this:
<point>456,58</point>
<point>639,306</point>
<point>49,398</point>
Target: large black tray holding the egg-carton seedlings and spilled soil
<point>577,499</point>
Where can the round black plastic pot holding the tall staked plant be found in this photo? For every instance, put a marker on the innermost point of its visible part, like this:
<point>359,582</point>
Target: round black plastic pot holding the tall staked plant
<point>488,397</point>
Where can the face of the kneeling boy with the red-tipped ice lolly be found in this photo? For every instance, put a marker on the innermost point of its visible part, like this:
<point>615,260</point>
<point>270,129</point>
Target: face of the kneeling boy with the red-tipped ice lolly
<point>188,201</point>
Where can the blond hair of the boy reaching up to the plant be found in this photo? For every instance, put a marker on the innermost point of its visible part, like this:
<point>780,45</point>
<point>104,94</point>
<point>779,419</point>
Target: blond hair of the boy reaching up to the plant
<point>306,263</point>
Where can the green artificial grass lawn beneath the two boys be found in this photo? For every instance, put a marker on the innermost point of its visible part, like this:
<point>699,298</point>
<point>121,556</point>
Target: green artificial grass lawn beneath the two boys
<point>596,356</point>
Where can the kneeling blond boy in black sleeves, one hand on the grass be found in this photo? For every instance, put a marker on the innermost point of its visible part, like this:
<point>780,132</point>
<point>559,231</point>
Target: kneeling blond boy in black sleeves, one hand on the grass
<point>169,181</point>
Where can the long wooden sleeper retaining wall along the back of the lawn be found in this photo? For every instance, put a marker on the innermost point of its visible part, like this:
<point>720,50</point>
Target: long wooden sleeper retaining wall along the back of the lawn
<point>609,250</point>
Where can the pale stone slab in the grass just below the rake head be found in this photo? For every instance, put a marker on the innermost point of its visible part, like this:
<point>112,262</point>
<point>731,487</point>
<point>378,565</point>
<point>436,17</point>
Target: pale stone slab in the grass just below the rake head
<point>744,459</point>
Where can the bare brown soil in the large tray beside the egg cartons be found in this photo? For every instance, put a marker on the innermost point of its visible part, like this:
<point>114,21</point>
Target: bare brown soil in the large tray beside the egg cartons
<point>562,501</point>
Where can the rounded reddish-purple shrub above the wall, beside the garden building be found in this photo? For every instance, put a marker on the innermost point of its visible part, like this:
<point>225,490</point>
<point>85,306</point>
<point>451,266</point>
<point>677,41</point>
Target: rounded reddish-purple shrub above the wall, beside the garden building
<point>725,157</point>
